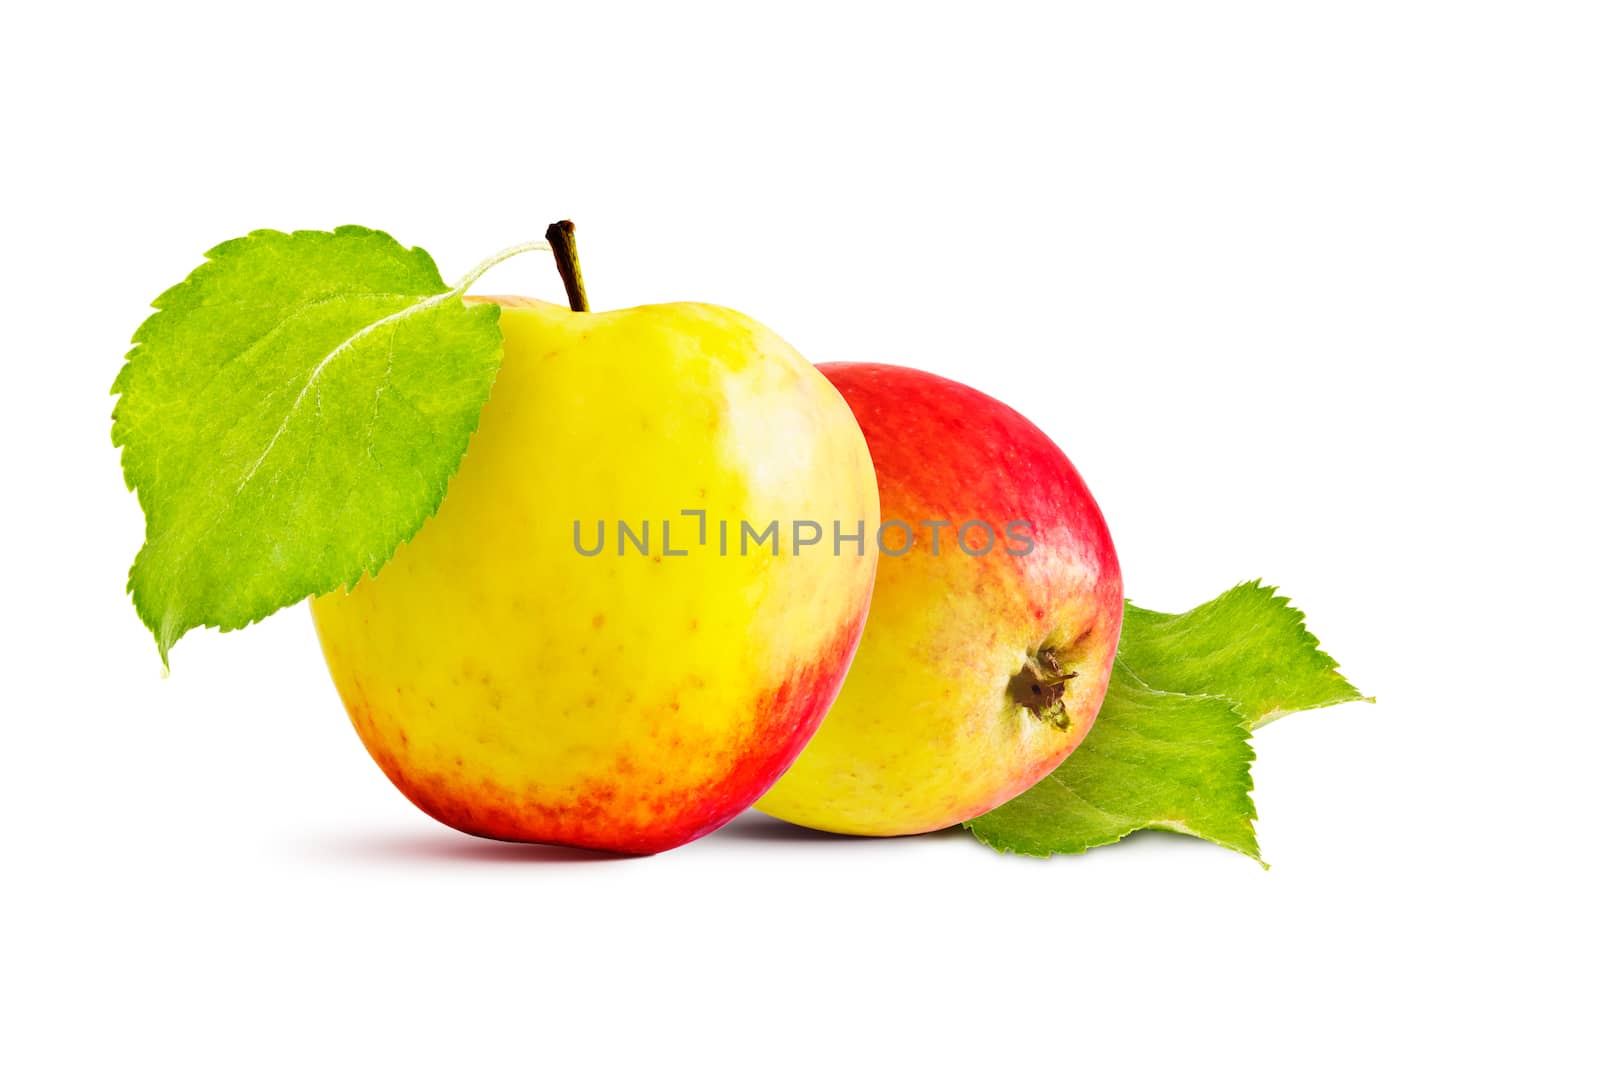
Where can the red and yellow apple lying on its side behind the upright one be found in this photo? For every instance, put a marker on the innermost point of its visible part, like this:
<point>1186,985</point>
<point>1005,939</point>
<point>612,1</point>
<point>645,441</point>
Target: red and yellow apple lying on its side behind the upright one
<point>993,627</point>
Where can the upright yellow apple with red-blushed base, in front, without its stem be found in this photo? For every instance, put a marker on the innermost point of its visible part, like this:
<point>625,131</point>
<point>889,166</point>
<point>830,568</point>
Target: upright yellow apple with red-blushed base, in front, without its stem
<point>518,689</point>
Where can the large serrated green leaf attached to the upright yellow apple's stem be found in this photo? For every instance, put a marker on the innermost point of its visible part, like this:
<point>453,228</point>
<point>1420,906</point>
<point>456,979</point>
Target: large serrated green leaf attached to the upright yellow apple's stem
<point>289,417</point>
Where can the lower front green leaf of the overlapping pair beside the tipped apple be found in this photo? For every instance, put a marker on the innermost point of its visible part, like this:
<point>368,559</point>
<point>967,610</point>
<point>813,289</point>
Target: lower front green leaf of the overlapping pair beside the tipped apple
<point>1153,761</point>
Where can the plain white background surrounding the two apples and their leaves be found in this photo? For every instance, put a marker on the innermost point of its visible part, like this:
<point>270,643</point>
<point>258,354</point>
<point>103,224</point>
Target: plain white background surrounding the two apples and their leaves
<point>1305,294</point>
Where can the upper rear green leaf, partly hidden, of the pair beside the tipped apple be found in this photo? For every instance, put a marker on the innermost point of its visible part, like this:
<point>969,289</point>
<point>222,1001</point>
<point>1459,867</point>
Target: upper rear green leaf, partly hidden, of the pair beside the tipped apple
<point>1247,644</point>
